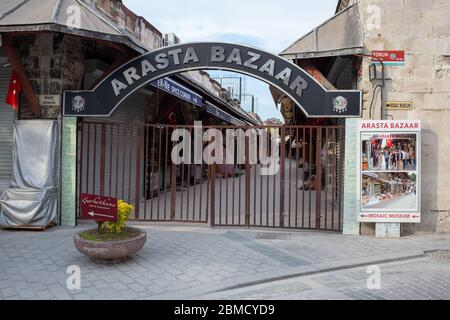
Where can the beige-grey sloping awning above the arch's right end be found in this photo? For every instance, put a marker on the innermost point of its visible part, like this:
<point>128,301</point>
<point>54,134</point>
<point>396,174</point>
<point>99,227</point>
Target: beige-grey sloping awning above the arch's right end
<point>340,35</point>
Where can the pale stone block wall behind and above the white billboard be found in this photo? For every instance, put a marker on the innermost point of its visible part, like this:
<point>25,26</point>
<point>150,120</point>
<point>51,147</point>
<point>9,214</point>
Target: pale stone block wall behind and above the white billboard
<point>422,29</point>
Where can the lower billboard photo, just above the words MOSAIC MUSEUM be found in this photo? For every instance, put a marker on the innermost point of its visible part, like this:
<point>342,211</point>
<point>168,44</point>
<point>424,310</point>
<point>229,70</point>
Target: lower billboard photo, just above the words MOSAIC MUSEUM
<point>389,191</point>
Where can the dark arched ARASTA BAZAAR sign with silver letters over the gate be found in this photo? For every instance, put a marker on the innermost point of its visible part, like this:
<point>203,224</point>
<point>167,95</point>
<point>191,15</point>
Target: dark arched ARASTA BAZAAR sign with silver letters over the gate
<point>308,94</point>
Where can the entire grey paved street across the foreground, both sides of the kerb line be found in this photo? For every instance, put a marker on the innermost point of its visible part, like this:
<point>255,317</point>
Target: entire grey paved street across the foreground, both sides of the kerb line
<point>187,263</point>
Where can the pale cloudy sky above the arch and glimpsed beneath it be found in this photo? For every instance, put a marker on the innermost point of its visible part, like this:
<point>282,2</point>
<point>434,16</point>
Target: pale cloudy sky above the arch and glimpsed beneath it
<point>269,25</point>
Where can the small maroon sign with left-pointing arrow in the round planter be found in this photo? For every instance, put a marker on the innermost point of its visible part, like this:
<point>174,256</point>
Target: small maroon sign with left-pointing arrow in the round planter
<point>98,208</point>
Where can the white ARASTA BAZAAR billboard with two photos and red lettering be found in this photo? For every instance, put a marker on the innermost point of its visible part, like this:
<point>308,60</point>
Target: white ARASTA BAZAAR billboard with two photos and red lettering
<point>389,171</point>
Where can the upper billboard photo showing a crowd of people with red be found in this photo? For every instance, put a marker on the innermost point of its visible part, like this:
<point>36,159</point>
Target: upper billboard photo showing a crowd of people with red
<point>389,152</point>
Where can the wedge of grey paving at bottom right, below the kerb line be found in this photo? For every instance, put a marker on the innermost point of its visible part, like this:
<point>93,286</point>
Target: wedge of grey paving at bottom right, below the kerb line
<point>417,279</point>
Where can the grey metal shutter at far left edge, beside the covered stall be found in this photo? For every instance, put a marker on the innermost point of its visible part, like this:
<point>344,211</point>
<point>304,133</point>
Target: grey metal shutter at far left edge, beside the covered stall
<point>7,116</point>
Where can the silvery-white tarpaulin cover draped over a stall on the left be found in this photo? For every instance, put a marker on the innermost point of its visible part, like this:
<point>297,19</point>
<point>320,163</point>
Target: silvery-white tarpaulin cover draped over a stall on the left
<point>32,199</point>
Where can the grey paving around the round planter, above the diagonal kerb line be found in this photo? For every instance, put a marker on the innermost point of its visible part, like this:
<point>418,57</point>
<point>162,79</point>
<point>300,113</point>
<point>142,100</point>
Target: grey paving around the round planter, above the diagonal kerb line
<point>187,262</point>
